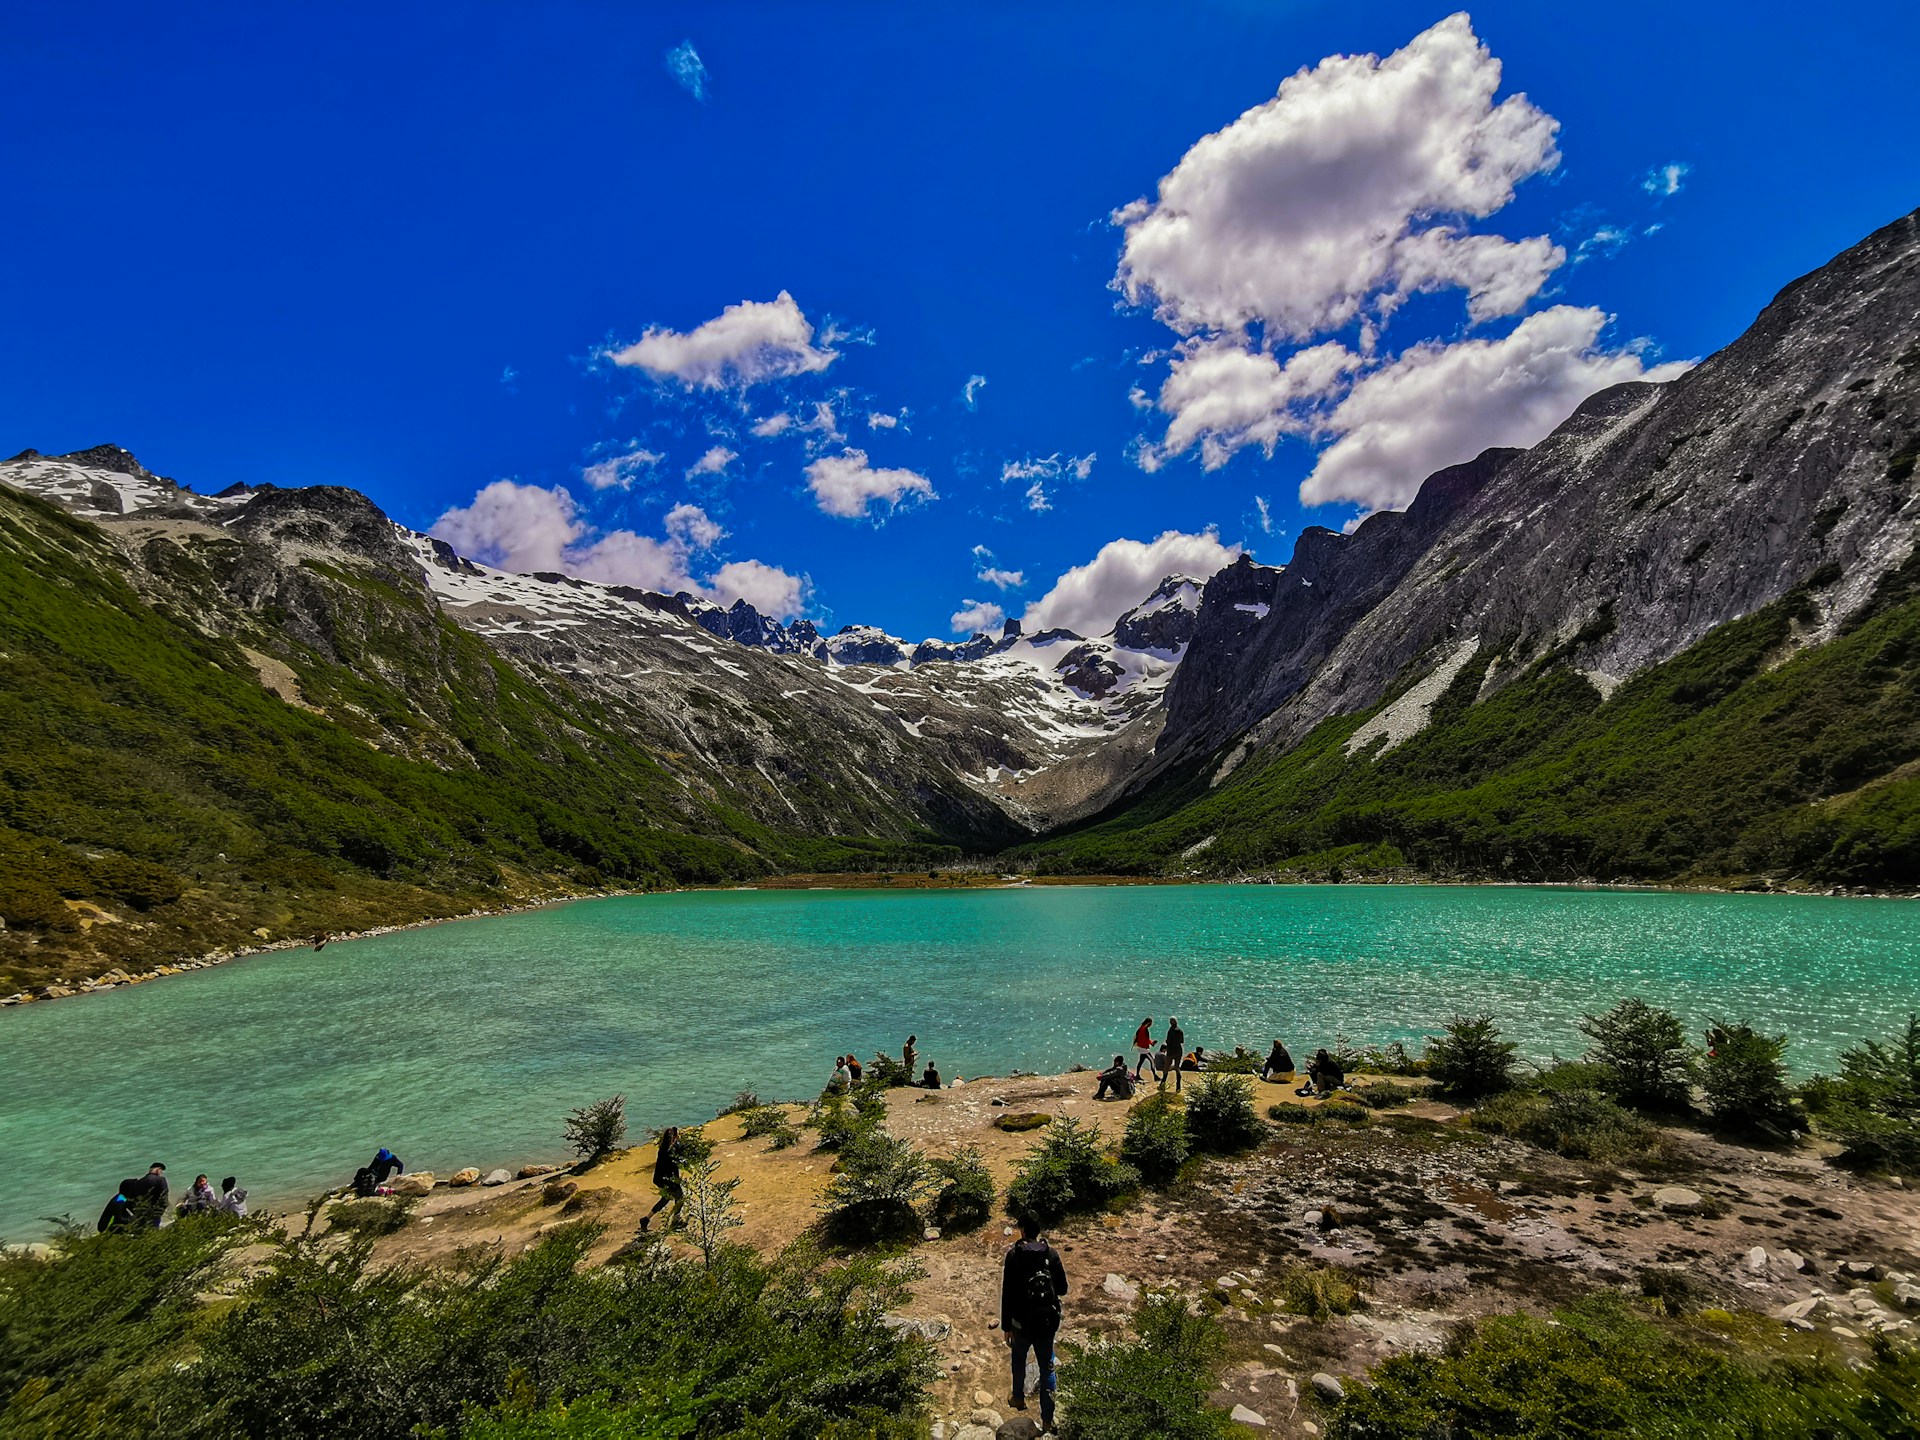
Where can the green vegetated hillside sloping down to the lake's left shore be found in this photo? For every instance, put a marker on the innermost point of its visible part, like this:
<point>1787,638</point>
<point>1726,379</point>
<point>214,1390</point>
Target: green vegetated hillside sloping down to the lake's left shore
<point>151,777</point>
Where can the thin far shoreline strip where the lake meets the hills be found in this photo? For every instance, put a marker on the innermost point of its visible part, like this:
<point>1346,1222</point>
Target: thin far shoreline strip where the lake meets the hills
<point>898,882</point>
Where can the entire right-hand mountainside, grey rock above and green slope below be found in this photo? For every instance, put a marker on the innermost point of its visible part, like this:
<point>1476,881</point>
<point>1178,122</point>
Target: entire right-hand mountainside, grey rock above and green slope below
<point>1668,640</point>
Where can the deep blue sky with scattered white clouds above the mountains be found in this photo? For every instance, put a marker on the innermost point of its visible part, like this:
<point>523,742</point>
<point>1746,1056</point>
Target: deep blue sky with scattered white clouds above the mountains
<point>402,251</point>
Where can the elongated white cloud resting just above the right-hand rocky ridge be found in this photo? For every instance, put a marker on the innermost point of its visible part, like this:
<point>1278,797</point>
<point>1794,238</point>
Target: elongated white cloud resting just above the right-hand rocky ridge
<point>1439,406</point>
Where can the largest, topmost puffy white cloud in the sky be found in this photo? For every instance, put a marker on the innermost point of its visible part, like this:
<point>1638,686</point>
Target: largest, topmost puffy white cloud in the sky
<point>1301,210</point>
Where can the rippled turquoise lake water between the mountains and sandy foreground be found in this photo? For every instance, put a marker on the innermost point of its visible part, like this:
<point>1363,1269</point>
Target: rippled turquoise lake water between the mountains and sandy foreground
<point>468,1044</point>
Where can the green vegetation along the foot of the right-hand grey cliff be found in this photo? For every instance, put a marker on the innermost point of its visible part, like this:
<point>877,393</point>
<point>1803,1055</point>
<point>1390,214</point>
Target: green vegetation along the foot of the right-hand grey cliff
<point>1731,759</point>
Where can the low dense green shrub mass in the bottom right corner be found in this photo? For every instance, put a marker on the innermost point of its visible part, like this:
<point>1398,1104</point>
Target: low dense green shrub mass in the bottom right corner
<point>1600,1370</point>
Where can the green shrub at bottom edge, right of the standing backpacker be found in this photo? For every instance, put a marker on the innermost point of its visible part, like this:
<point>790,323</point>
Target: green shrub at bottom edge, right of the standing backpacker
<point>1147,1389</point>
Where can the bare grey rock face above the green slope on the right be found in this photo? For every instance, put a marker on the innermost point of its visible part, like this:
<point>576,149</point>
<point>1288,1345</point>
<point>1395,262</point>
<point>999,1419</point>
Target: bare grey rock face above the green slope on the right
<point>1648,519</point>
